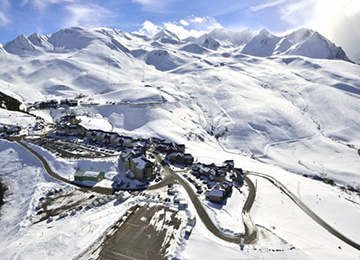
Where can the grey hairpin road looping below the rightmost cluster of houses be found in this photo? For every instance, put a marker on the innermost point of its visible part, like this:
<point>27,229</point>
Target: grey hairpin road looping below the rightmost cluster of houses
<point>250,234</point>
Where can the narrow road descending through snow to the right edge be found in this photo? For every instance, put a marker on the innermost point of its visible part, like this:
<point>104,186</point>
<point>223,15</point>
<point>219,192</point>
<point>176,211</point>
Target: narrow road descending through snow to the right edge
<point>306,209</point>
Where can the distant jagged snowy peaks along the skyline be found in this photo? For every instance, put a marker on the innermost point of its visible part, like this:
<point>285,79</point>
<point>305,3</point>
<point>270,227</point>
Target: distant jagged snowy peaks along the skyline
<point>302,42</point>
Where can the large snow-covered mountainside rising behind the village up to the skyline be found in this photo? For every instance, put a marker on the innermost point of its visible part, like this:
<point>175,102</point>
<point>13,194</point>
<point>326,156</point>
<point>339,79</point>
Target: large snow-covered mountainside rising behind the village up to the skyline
<point>291,101</point>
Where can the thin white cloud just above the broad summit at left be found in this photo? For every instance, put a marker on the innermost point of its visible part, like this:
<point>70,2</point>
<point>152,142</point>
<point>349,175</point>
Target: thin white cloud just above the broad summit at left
<point>89,15</point>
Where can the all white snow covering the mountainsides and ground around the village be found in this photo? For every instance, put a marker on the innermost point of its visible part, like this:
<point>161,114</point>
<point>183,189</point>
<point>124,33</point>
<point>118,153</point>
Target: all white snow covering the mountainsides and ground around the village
<point>285,106</point>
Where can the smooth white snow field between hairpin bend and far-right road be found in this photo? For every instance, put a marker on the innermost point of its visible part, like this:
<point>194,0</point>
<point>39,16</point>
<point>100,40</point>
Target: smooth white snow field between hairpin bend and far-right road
<point>274,209</point>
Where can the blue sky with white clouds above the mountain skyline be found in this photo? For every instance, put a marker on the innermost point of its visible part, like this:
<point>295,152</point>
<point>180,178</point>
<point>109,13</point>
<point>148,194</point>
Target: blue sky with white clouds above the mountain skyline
<point>336,19</point>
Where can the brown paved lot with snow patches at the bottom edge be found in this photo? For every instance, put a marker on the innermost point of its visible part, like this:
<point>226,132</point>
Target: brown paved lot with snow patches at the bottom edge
<point>137,239</point>
